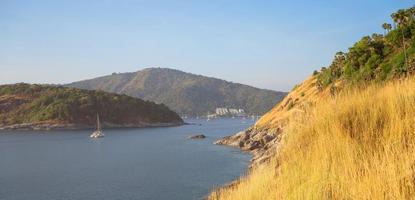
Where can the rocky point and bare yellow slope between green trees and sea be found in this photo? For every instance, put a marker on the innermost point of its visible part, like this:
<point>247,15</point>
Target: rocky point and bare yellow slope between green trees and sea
<point>263,139</point>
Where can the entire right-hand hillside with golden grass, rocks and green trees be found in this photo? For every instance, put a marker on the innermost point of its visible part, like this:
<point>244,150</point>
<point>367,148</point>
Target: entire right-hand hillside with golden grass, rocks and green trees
<point>347,132</point>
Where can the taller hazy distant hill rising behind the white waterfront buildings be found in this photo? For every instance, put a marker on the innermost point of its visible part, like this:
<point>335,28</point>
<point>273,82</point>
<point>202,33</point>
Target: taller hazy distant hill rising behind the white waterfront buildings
<point>185,93</point>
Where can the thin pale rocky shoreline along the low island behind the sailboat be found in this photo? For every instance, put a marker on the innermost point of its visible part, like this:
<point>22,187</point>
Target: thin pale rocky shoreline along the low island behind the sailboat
<point>71,126</point>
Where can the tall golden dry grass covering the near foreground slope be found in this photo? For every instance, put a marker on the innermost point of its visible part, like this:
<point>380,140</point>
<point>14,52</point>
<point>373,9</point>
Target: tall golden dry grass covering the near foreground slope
<point>359,145</point>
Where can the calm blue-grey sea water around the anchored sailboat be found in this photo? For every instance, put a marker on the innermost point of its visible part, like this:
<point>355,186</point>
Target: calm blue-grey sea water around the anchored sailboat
<point>147,163</point>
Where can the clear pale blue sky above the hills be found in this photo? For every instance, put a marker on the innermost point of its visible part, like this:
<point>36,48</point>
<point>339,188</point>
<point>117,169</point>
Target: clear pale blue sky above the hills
<point>266,44</point>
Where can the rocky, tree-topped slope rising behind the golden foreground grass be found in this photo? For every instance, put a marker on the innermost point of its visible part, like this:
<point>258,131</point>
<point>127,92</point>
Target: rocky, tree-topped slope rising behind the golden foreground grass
<point>372,60</point>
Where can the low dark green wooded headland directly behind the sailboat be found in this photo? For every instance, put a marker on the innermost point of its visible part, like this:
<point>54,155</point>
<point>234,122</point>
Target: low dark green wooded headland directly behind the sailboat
<point>41,104</point>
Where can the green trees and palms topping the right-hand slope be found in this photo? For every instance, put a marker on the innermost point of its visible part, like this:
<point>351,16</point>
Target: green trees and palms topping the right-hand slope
<point>377,57</point>
